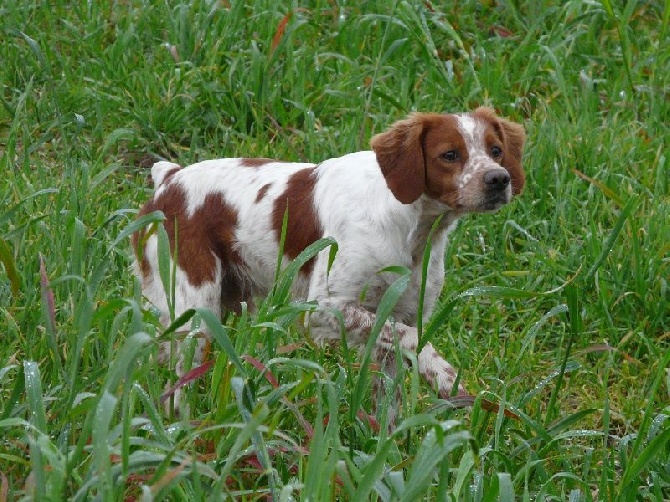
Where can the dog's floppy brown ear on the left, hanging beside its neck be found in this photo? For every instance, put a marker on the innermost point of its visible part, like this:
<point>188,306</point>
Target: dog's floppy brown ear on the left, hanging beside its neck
<point>400,155</point>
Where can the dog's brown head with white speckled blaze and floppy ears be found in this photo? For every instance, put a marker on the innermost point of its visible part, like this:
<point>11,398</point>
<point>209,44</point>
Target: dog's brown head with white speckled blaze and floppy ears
<point>468,161</point>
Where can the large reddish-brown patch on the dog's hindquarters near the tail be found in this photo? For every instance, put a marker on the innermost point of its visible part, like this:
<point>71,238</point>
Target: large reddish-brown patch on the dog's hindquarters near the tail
<point>208,234</point>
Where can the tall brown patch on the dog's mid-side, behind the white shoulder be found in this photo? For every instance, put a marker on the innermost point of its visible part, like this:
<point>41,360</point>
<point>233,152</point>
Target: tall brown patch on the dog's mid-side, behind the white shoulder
<point>303,227</point>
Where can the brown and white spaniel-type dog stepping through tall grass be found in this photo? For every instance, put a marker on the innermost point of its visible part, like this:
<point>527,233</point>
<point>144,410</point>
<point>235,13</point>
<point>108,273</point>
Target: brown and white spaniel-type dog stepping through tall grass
<point>224,220</point>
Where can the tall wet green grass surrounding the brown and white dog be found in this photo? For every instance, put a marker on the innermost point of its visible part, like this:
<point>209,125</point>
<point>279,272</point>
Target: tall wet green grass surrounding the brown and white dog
<point>560,302</point>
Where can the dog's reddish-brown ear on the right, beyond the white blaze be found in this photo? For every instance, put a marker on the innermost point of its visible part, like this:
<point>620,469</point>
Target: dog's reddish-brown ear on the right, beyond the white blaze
<point>513,137</point>
